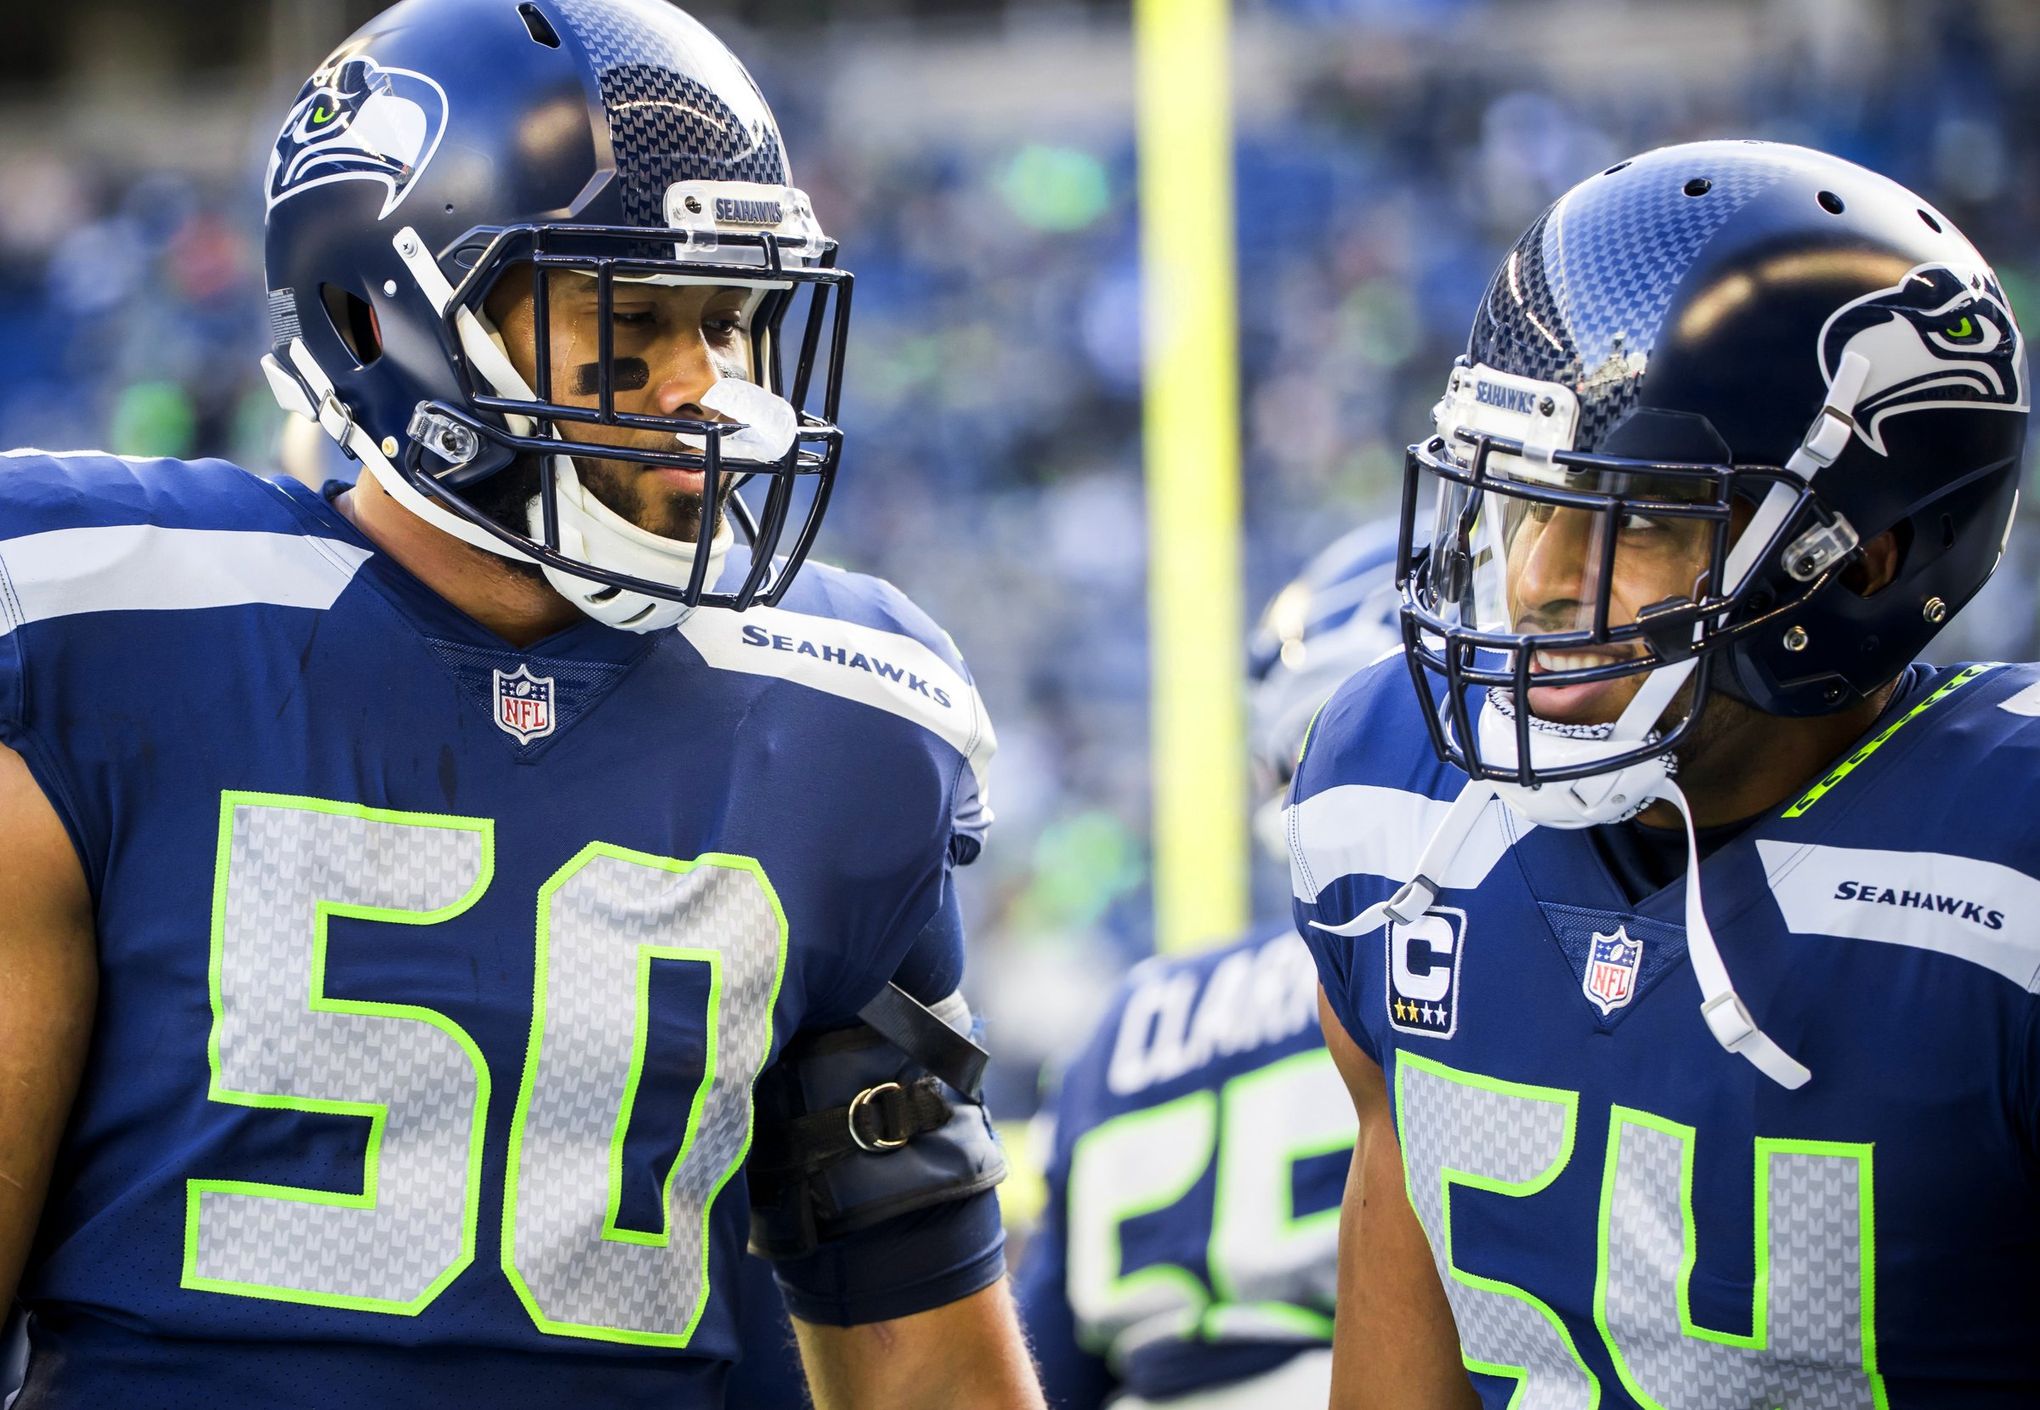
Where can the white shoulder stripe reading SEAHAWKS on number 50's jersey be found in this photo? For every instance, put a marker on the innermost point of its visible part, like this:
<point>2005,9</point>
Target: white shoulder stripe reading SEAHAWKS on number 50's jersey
<point>866,664</point>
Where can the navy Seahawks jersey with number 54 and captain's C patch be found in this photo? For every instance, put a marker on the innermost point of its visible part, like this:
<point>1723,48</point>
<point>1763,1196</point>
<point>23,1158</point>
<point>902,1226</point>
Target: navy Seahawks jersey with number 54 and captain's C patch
<point>1625,1213</point>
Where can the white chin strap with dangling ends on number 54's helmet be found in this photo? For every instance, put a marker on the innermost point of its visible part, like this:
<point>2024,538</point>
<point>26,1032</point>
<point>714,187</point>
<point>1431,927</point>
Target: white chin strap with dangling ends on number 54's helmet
<point>1621,795</point>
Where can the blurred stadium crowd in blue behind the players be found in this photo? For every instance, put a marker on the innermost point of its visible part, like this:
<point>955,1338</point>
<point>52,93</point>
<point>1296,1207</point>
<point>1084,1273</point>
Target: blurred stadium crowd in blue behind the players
<point>978,168</point>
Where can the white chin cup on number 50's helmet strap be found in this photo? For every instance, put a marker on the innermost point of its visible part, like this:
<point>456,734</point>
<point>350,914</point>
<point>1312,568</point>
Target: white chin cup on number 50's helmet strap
<point>595,534</point>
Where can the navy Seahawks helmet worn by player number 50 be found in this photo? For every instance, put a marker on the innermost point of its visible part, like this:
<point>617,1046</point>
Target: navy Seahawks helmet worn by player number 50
<point>609,142</point>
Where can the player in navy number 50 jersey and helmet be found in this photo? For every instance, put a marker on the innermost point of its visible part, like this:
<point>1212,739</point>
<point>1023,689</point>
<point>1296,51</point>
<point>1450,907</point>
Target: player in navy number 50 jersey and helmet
<point>446,921</point>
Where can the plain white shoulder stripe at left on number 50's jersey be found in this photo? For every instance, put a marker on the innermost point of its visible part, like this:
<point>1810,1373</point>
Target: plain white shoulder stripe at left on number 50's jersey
<point>146,568</point>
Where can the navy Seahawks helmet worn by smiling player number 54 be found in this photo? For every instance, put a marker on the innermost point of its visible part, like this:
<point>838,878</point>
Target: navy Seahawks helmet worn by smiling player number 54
<point>1757,356</point>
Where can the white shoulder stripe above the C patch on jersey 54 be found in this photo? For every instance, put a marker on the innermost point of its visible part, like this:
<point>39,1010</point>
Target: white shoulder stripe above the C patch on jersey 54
<point>1360,829</point>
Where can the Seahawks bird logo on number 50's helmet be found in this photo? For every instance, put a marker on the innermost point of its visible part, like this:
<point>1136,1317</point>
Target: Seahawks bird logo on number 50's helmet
<point>358,121</point>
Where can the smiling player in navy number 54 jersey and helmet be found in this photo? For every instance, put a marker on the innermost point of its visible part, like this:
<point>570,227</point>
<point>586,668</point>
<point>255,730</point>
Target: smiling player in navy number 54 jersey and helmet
<point>1678,934</point>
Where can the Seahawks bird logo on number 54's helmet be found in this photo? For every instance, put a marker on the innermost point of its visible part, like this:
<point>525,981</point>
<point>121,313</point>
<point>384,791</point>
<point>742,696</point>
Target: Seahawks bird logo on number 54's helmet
<point>1939,338</point>
